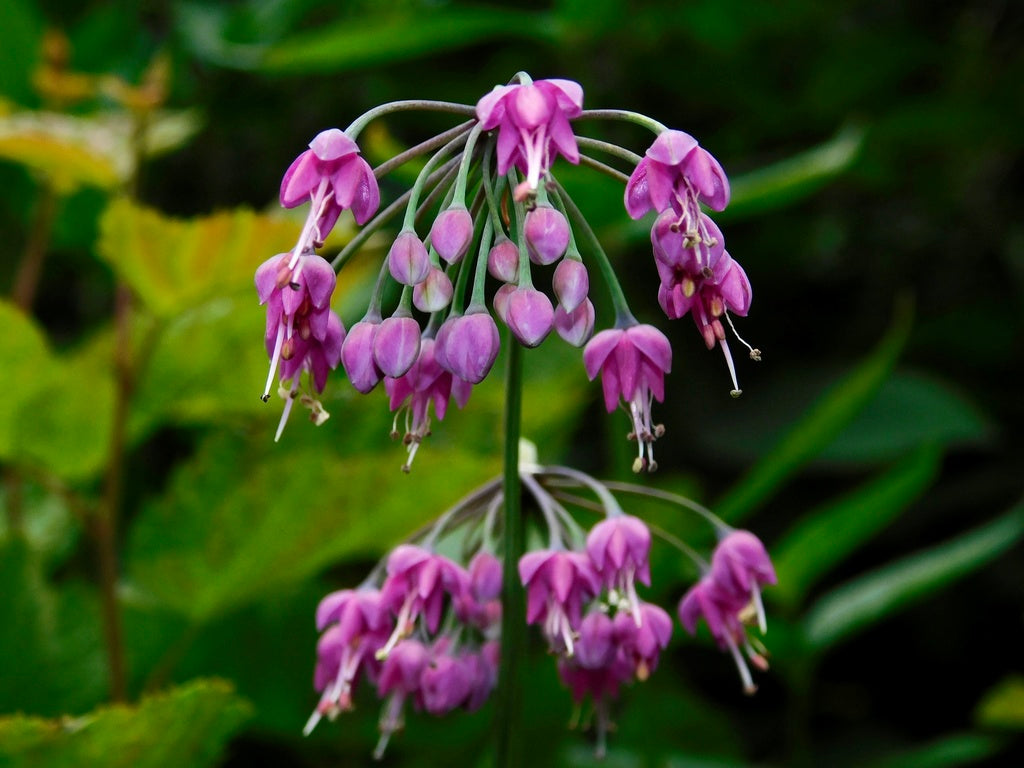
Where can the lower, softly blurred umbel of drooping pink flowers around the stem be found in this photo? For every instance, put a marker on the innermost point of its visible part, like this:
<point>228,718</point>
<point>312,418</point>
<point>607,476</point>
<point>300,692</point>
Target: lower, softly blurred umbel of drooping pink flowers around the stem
<point>424,629</point>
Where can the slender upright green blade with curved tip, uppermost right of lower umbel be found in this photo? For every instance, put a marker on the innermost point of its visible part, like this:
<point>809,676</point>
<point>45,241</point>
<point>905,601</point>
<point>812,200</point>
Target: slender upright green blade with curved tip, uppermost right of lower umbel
<point>820,426</point>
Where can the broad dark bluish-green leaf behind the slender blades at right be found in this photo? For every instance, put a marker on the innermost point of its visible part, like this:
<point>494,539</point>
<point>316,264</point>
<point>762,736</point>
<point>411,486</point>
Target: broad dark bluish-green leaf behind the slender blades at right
<point>910,410</point>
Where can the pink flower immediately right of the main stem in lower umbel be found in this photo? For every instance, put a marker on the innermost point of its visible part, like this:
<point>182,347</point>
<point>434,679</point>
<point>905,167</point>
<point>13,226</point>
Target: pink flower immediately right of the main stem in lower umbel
<point>558,585</point>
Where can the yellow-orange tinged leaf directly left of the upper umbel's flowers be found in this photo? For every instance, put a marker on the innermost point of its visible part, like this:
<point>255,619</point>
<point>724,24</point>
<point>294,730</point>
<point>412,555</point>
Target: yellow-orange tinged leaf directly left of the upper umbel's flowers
<point>175,265</point>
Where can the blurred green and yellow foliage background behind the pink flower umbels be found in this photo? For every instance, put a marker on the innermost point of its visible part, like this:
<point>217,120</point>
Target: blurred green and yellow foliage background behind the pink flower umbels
<point>157,548</point>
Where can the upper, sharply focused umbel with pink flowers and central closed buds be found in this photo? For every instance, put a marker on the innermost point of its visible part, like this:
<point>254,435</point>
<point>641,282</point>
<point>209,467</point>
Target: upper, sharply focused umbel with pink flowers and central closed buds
<point>488,202</point>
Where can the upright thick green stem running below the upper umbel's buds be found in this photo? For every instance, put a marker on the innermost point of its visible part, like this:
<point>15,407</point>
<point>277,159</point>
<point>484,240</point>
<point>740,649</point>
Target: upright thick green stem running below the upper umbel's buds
<point>509,710</point>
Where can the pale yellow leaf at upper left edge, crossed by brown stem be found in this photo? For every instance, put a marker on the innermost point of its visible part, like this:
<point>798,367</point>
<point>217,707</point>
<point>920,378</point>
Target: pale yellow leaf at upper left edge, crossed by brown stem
<point>96,151</point>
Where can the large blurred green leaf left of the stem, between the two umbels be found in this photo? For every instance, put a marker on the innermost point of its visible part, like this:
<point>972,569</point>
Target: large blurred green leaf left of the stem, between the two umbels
<point>214,544</point>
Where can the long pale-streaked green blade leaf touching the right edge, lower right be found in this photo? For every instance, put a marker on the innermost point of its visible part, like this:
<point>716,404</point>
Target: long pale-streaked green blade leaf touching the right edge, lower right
<point>871,598</point>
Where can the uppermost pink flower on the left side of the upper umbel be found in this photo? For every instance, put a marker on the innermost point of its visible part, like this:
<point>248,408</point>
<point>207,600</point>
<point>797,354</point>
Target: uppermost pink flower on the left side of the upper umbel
<point>333,178</point>
